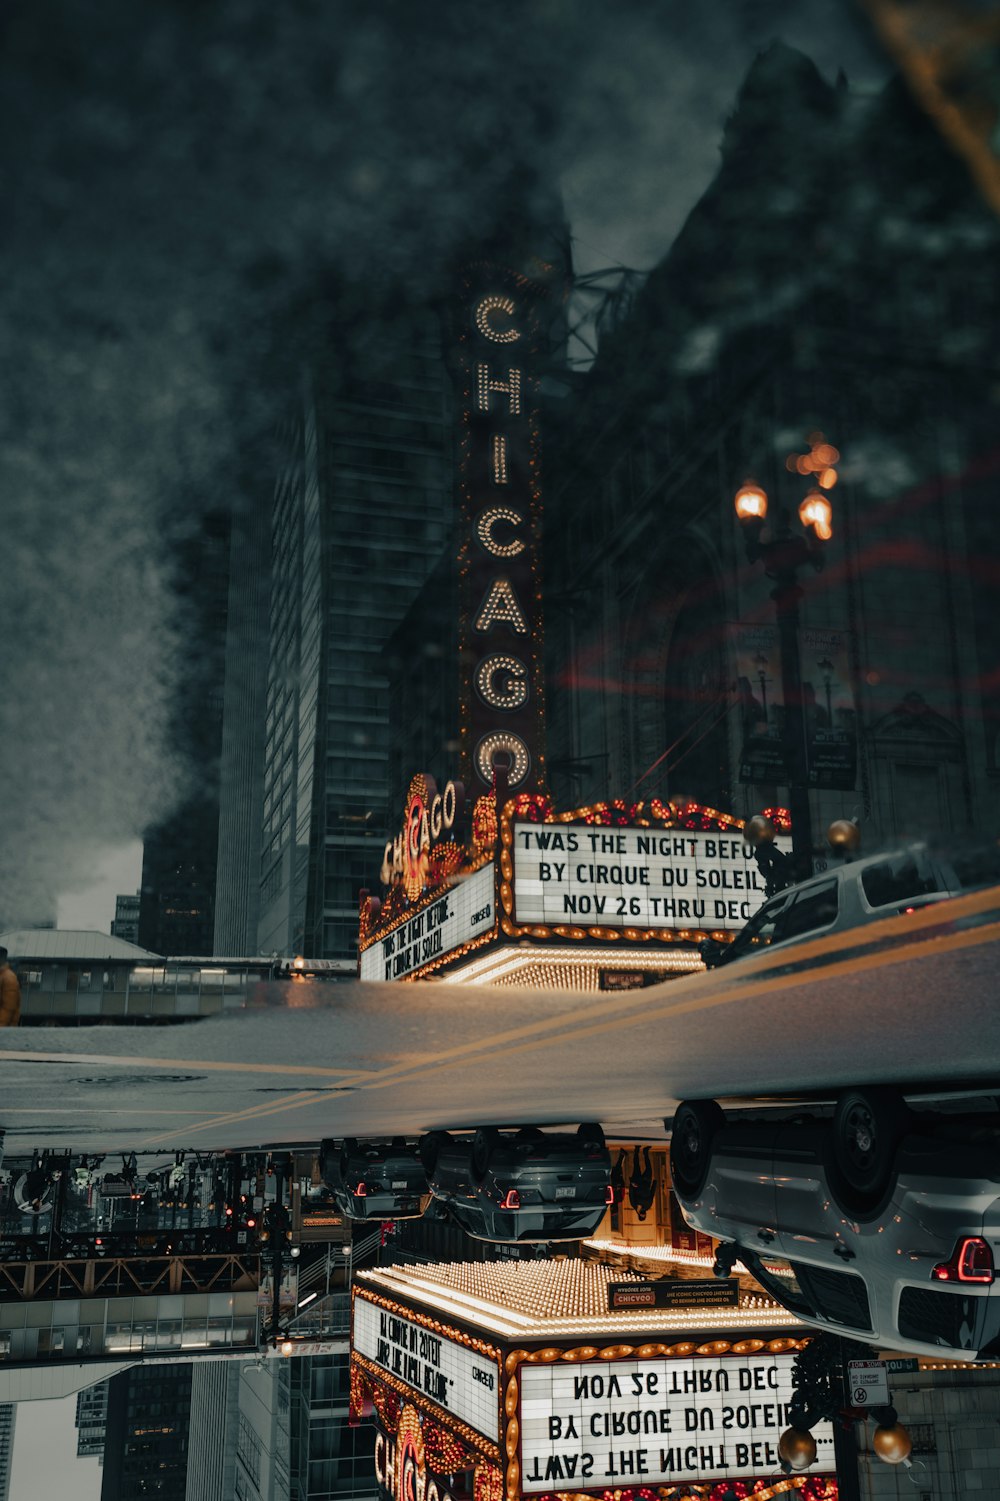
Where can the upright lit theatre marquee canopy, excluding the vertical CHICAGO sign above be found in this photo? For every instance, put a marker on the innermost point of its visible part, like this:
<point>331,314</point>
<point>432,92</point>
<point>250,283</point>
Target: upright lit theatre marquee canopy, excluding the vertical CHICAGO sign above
<point>609,897</point>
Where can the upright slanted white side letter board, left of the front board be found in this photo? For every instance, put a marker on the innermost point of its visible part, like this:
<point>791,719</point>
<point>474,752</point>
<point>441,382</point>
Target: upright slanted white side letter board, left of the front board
<point>460,913</point>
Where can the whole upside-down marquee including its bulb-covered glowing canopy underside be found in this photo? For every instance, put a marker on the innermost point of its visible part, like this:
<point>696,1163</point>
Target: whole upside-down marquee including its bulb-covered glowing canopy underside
<point>498,1382</point>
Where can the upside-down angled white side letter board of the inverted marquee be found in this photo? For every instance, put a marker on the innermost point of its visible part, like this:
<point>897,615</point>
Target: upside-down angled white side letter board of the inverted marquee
<point>456,1379</point>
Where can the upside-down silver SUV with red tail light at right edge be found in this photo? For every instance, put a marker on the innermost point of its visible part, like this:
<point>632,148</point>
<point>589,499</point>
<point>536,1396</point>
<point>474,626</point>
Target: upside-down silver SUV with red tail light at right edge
<point>882,1224</point>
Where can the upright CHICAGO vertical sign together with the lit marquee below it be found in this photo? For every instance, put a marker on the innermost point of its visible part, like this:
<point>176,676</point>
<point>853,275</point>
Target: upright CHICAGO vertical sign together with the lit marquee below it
<point>486,883</point>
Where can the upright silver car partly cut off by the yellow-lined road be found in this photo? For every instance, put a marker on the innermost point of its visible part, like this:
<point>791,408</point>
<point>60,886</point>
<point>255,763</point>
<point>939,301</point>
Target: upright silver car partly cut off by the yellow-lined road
<point>857,894</point>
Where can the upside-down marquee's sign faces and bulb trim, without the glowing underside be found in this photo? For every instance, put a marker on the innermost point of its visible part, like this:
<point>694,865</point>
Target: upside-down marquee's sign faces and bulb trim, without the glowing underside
<point>574,1421</point>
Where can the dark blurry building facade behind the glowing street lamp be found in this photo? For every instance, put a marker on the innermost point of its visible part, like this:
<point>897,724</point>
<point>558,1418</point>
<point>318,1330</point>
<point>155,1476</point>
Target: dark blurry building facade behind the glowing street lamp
<point>782,326</point>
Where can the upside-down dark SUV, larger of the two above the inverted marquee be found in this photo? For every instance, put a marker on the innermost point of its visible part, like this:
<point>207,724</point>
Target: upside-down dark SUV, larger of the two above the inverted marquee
<point>522,1185</point>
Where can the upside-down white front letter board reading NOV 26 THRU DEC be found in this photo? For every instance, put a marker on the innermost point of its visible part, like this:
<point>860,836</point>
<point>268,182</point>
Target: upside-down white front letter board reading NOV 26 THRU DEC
<point>604,1425</point>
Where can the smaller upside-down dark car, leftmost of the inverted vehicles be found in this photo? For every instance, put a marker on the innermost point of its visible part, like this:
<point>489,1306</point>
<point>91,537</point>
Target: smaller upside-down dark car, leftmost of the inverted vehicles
<point>375,1179</point>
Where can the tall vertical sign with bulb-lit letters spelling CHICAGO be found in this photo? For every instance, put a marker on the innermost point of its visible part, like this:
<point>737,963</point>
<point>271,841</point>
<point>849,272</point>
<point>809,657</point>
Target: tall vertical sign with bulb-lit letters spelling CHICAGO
<point>501,636</point>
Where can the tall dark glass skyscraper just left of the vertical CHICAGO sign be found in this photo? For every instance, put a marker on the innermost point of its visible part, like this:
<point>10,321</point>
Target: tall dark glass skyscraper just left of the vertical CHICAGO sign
<point>361,508</point>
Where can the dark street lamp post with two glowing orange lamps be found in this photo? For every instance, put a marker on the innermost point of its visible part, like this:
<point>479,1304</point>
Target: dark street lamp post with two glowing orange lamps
<point>785,553</point>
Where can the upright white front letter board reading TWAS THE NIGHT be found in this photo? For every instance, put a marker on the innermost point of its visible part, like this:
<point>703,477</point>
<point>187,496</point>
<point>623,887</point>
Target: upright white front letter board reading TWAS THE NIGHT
<point>634,877</point>
